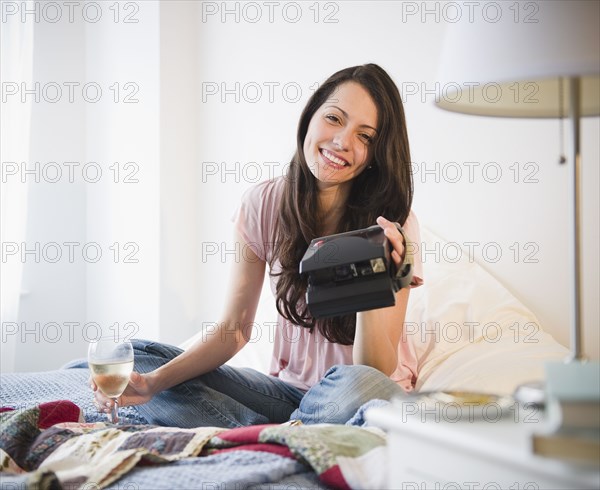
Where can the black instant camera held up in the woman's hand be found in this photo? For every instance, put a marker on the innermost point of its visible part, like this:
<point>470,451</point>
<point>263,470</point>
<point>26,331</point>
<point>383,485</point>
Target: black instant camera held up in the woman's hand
<point>353,271</point>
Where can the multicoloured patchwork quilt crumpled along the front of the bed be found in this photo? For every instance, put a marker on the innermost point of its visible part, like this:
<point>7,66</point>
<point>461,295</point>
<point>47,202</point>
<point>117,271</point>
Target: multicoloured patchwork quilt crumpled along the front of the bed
<point>50,446</point>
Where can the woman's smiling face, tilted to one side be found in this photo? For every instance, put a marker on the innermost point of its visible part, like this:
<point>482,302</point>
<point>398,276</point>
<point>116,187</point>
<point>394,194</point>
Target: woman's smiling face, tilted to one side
<point>337,141</point>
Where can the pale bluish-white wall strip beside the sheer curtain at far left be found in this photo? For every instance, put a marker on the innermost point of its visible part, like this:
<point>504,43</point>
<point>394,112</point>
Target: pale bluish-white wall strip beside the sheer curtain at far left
<point>53,305</point>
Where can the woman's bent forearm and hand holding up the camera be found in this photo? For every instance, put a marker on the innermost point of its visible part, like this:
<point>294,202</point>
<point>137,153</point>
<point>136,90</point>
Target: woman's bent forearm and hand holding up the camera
<point>378,331</point>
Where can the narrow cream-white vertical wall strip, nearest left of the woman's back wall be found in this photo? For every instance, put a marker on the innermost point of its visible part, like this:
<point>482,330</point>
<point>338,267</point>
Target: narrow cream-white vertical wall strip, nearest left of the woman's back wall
<point>180,201</point>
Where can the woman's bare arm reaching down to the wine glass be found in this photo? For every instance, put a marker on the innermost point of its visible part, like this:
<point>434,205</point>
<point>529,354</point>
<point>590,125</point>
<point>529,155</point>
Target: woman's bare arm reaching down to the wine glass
<point>218,347</point>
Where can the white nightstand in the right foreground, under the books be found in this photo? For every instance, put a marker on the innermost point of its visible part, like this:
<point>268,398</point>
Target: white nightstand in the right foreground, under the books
<point>433,450</point>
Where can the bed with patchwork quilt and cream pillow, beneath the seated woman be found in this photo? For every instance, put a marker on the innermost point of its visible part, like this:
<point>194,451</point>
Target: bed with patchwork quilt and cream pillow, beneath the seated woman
<point>467,331</point>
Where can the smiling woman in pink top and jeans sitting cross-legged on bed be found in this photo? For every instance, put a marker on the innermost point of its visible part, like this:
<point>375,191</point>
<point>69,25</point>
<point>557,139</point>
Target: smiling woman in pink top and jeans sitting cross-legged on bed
<point>350,170</point>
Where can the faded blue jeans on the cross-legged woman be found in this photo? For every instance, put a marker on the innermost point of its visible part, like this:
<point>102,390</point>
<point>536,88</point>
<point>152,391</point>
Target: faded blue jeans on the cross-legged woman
<point>234,397</point>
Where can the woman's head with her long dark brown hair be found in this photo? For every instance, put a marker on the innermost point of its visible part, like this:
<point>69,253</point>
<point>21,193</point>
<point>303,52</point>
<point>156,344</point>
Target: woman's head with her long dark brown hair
<point>352,165</point>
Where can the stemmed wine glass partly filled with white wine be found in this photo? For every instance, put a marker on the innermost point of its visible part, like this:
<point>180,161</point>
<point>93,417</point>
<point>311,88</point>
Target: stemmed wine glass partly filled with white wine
<point>111,362</point>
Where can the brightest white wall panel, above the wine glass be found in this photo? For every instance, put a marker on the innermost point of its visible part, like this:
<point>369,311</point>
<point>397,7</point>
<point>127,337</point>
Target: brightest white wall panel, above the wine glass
<point>123,132</point>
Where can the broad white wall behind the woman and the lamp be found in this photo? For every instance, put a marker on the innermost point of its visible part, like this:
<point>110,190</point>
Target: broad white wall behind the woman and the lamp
<point>523,215</point>
